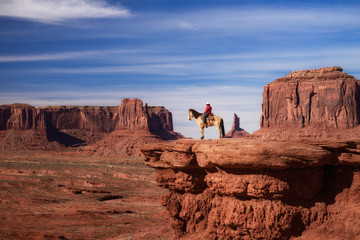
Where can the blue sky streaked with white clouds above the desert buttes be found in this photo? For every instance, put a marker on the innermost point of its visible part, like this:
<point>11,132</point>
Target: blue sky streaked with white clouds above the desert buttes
<point>176,54</point>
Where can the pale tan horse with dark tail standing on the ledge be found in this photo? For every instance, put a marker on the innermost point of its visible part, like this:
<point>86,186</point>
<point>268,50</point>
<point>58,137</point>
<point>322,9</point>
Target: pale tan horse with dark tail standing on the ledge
<point>211,120</point>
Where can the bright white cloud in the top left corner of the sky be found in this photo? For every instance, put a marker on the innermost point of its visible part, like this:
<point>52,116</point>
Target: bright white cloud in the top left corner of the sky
<point>54,11</point>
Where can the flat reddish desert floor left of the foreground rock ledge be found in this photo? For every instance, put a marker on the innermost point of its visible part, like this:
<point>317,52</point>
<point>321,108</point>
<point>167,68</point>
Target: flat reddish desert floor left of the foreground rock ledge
<point>73,196</point>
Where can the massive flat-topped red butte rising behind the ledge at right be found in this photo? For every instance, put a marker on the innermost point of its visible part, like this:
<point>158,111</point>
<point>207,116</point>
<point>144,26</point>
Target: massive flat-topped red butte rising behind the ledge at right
<point>319,103</point>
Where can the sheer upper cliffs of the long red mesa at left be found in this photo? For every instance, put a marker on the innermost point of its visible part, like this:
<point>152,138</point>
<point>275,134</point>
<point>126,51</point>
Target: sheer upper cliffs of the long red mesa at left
<point>131,114</point>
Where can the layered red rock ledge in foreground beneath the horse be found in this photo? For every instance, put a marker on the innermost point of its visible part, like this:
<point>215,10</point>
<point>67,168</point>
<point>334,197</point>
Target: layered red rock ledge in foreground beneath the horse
<point>257,189</point>
